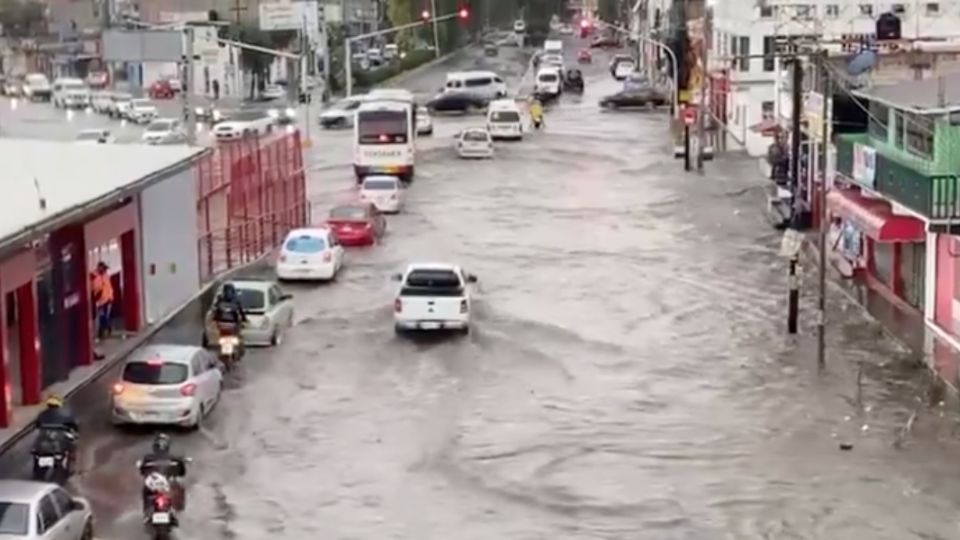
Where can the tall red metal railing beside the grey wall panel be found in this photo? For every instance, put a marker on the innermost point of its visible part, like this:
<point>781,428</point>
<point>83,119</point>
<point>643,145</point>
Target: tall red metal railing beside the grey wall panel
<point>250,194</point>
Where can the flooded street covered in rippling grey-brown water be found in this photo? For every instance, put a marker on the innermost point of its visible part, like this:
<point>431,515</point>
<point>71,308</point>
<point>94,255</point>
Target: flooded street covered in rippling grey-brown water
<point>628,376</point>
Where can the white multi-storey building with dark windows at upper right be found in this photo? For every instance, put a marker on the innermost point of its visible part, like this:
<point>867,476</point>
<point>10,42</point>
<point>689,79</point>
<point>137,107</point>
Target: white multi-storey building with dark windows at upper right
<point>749,27</point>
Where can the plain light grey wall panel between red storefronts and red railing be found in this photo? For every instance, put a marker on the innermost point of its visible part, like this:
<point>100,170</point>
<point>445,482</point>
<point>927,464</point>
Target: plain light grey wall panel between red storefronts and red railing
<point>168,237</point>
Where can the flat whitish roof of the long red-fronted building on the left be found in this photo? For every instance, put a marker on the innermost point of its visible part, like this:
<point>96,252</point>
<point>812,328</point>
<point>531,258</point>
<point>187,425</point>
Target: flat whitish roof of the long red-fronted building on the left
<point>69,176</point>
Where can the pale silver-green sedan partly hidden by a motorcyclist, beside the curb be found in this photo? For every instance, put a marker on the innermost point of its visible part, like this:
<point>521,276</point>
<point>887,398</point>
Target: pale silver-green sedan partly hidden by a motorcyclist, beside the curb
<point>269,313</point>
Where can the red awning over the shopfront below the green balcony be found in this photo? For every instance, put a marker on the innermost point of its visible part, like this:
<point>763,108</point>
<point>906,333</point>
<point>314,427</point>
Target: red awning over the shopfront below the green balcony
<point>875,217</point>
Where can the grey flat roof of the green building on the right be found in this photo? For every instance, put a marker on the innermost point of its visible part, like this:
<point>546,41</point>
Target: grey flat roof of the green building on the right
<point>923,96</point>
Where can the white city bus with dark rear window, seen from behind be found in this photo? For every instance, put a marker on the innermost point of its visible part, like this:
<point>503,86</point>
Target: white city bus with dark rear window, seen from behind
<point>385,134</point>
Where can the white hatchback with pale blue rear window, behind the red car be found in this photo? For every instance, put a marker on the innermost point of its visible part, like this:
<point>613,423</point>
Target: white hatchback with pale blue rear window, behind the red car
<point>310,254</point>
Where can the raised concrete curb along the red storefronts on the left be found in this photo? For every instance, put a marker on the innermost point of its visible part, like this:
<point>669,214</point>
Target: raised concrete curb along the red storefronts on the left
<point>134,343</point>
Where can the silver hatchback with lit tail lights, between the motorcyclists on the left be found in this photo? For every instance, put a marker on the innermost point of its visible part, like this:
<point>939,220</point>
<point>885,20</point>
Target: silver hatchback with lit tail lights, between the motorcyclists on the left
<point>166,384</point>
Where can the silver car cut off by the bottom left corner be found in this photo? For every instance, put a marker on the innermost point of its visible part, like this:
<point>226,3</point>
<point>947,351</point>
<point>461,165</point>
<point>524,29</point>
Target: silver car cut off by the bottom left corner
<point>42,511</point>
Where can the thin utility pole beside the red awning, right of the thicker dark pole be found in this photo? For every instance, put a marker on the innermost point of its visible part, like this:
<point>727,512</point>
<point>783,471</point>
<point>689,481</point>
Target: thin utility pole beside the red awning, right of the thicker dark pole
<point>822,211</point>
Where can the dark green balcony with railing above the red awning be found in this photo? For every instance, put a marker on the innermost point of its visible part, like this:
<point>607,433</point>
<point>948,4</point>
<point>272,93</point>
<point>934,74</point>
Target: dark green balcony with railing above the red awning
<point>936,197</point>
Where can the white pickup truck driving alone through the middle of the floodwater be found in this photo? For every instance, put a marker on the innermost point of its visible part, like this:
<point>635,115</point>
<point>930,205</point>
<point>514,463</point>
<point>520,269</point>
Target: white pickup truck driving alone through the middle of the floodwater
<point>433,296</point>
